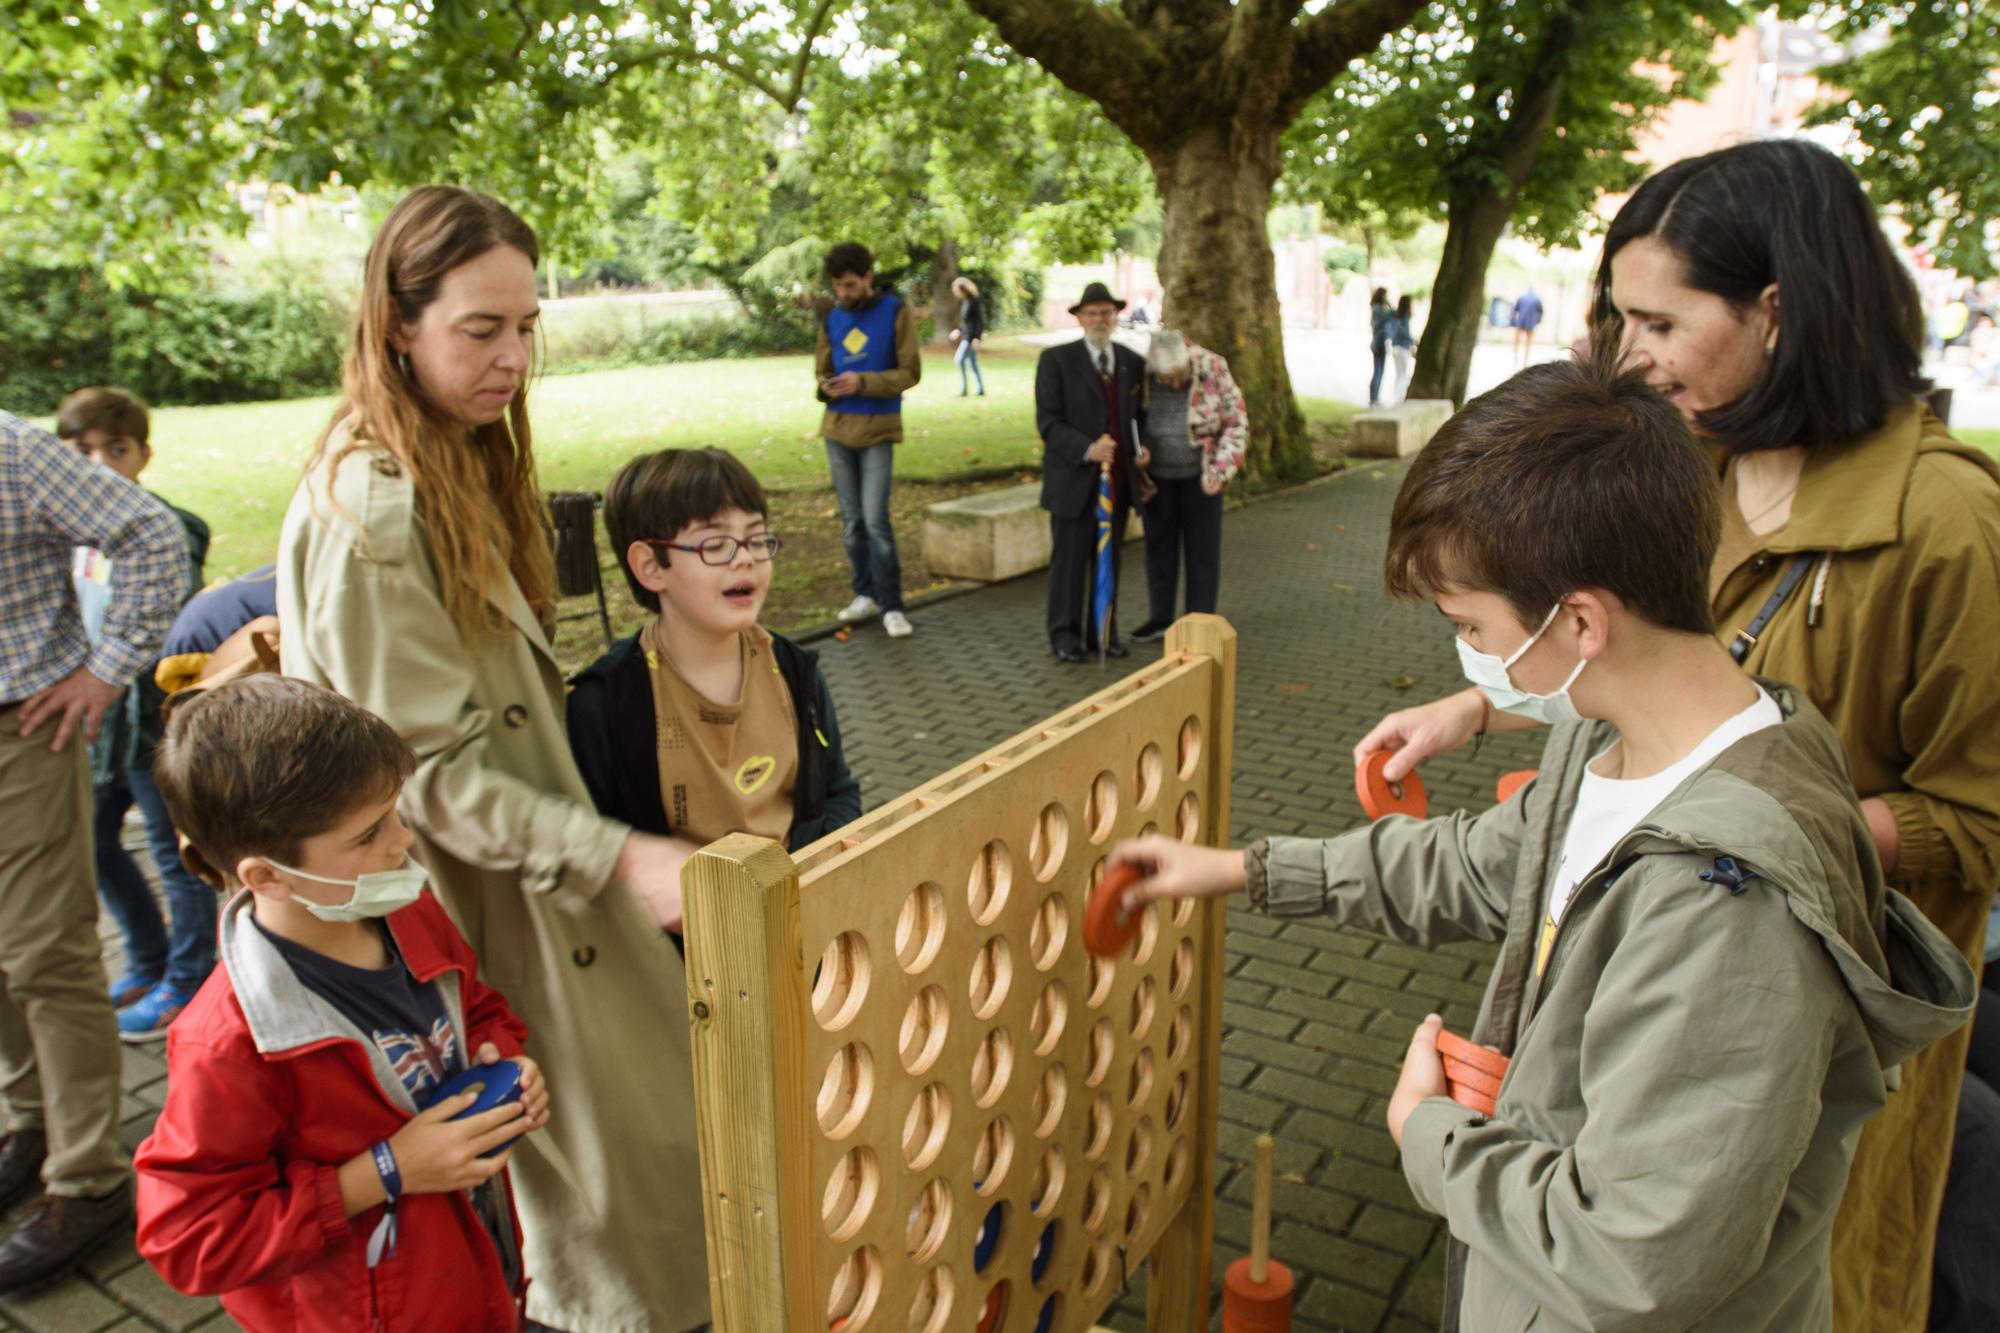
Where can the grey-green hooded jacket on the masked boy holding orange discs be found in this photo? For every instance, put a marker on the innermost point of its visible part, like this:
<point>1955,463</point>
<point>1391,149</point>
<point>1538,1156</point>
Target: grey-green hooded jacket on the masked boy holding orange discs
<point>1727,1000</point>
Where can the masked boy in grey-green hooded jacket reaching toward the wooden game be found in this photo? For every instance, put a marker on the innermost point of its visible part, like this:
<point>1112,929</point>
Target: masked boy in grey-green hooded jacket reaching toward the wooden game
<point>1703,984</point>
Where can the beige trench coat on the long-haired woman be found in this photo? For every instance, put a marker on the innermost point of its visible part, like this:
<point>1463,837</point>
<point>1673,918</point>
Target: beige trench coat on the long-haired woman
<point>611,1192</point>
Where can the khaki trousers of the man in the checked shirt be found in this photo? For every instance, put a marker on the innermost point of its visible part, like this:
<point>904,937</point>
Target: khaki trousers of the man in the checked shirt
<point>59,1038</point>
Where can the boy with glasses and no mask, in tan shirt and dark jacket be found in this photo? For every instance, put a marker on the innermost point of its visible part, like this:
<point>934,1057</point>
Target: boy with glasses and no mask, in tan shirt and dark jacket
<point>705,724</point>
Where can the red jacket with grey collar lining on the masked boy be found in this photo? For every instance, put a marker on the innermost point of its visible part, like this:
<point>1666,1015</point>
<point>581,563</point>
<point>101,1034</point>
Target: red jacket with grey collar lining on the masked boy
<point>269,1092</point>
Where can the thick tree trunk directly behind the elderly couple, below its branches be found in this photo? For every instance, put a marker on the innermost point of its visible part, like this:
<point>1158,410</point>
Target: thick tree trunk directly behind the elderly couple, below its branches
<point>1223,279</point>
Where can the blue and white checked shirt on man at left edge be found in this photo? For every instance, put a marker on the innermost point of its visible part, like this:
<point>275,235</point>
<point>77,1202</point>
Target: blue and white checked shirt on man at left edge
<point>53,501</point>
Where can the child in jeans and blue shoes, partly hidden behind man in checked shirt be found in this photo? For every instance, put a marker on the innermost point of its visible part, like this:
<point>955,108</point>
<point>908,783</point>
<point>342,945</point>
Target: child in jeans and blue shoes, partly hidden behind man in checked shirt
<point>165,966</point>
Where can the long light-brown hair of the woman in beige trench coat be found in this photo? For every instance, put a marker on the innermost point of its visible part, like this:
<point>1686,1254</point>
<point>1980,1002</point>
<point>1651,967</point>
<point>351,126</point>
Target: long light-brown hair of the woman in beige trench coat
<point>479,497</point>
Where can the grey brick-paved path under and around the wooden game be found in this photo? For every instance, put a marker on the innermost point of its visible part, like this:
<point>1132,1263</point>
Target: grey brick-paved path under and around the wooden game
<point>1315,1018</point>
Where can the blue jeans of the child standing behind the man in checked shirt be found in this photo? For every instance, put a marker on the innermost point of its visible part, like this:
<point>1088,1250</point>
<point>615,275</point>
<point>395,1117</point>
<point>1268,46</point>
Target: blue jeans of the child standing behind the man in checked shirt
<point>189,954</point>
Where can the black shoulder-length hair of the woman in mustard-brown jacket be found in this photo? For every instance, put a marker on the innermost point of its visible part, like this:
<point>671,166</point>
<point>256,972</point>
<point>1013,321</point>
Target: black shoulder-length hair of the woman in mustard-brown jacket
<point>1851,325</point>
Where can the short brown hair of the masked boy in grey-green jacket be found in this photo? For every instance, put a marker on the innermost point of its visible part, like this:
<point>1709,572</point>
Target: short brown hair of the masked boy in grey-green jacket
<point>1565,477</point>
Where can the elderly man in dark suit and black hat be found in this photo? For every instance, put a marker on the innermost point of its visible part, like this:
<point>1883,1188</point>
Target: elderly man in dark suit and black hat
<point>1085,409</point>
